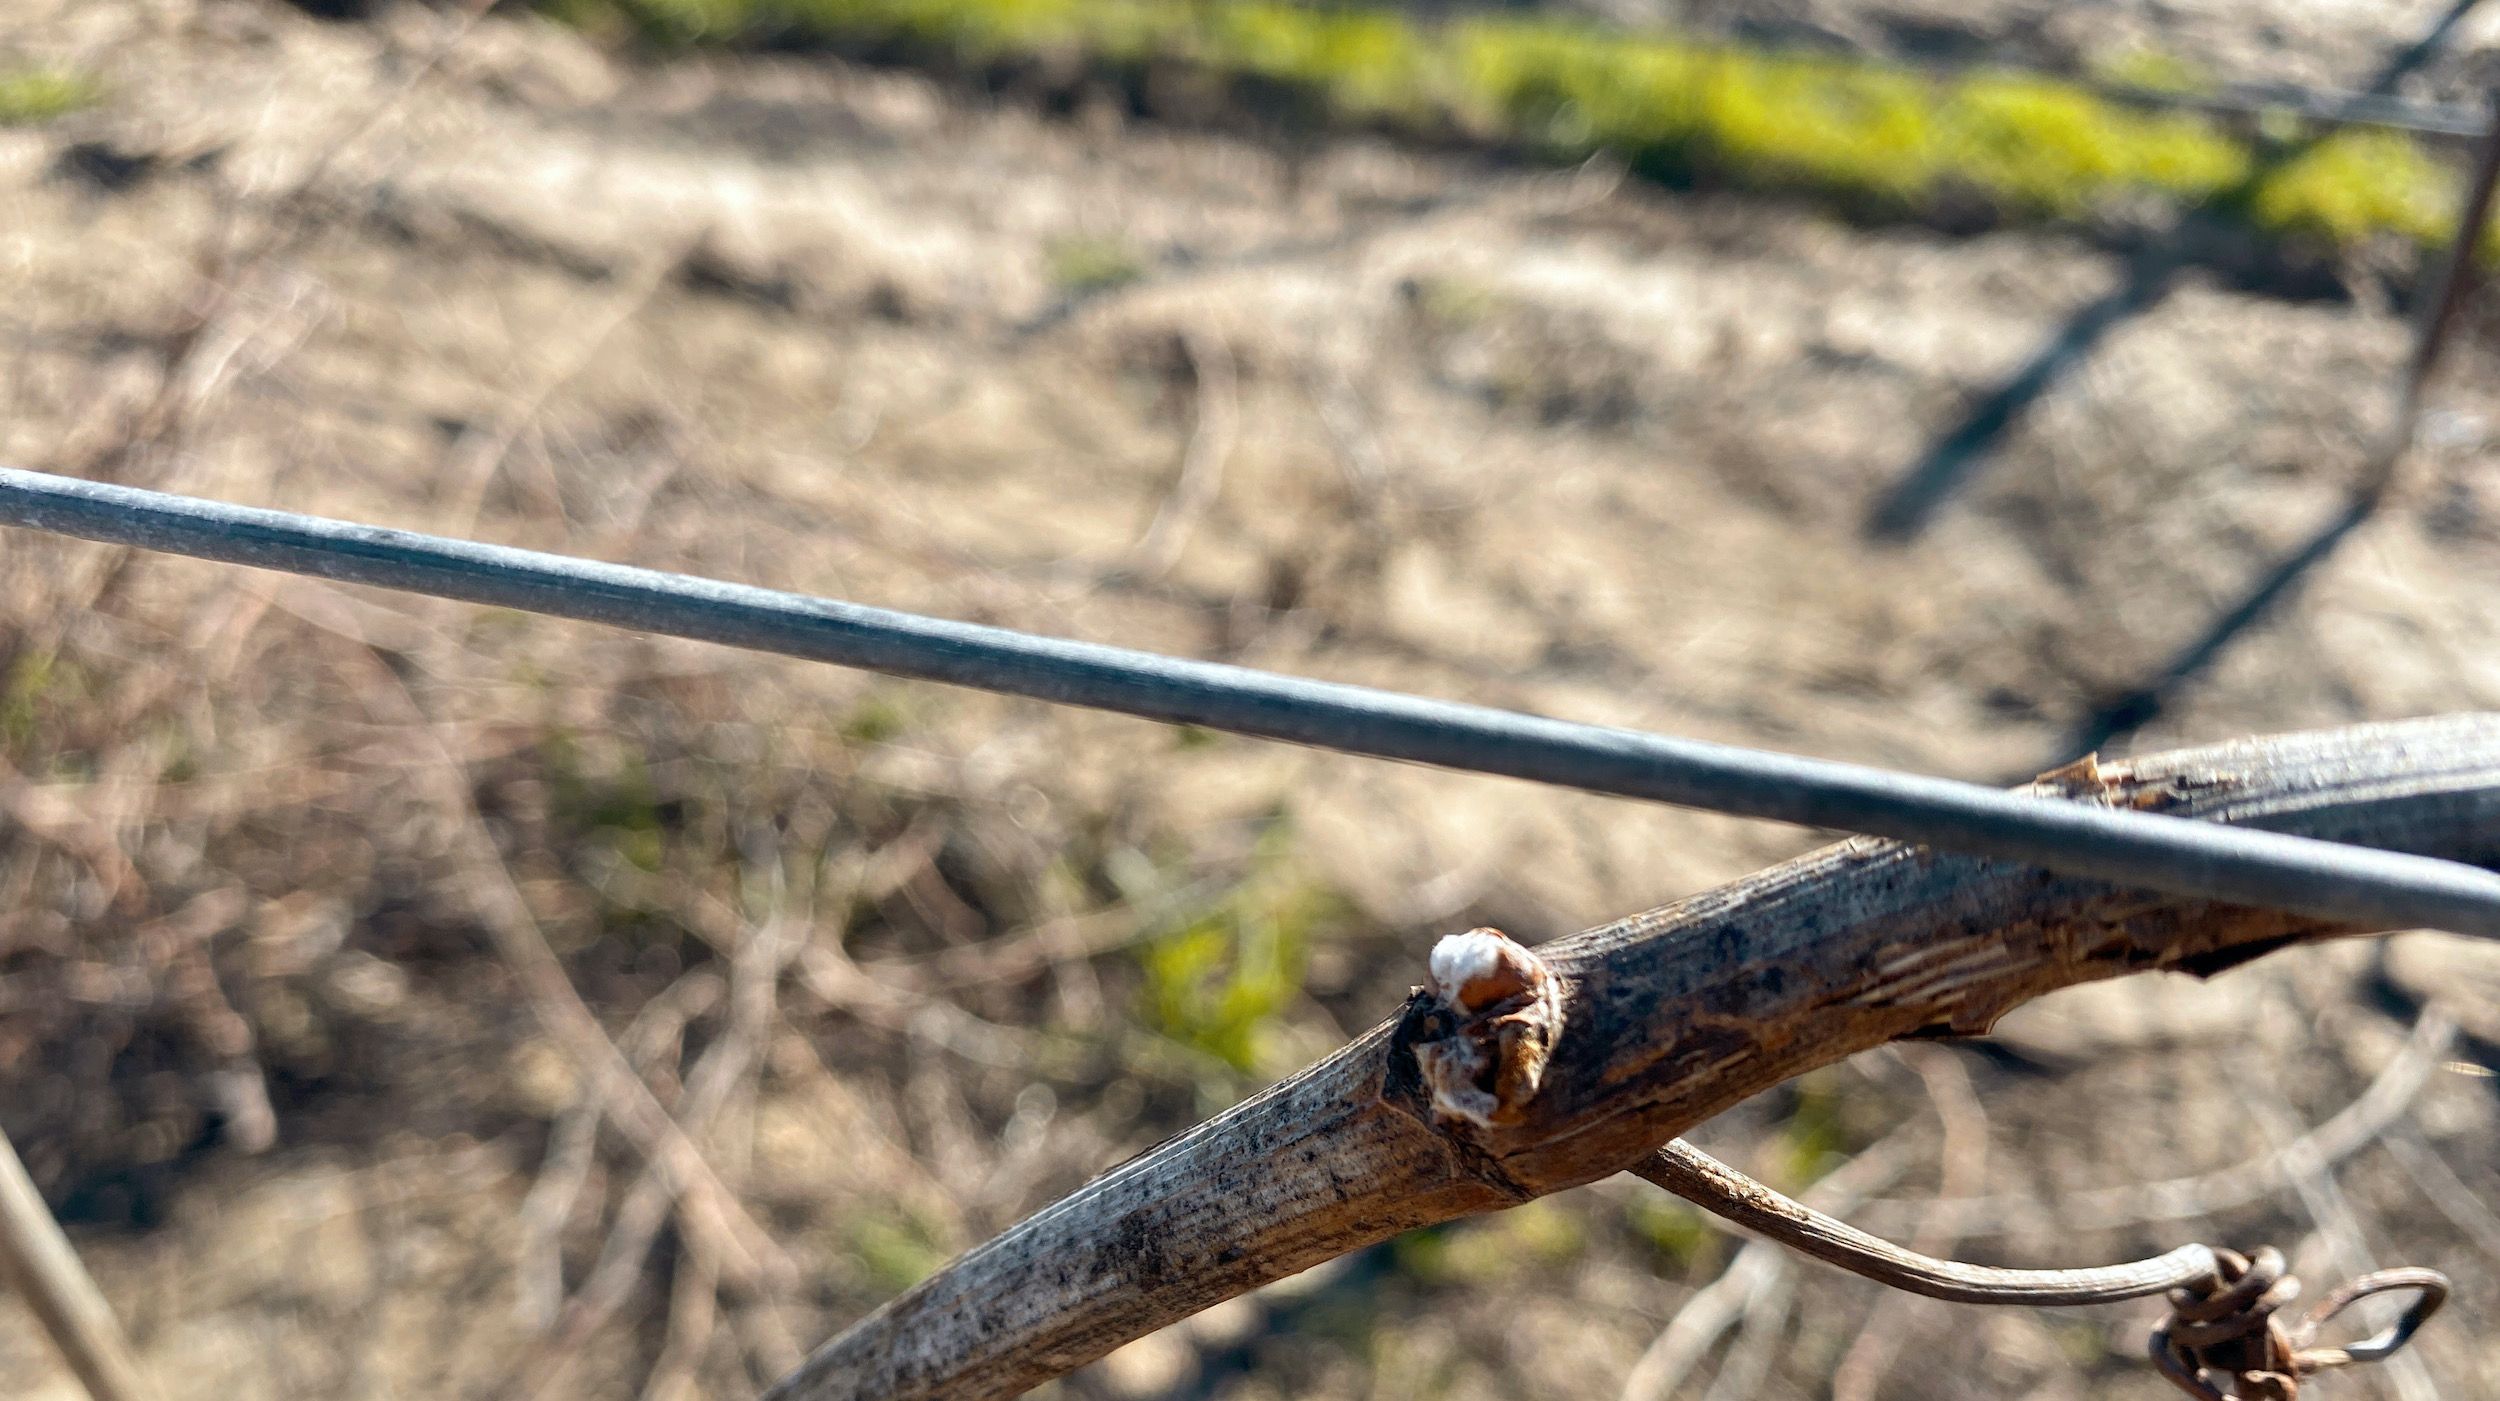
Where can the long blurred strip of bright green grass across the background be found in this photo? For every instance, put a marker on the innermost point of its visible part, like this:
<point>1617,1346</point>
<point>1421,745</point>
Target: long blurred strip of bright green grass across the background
<point>1884,141</point>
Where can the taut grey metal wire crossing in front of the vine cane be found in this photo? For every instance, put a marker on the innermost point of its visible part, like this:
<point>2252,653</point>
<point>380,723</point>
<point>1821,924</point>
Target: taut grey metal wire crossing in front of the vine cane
<point>2079,839</point>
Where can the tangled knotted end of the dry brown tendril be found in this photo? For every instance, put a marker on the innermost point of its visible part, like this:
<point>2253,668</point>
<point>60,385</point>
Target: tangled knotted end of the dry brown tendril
<point>2231,1325</point>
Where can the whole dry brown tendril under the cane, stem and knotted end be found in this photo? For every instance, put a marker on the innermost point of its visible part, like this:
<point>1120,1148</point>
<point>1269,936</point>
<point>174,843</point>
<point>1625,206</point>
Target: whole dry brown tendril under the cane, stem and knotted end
<point>2226,1310</point>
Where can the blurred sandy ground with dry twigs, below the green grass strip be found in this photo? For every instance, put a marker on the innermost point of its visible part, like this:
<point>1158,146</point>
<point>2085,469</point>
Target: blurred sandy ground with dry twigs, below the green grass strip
<point>1519,437</point>
